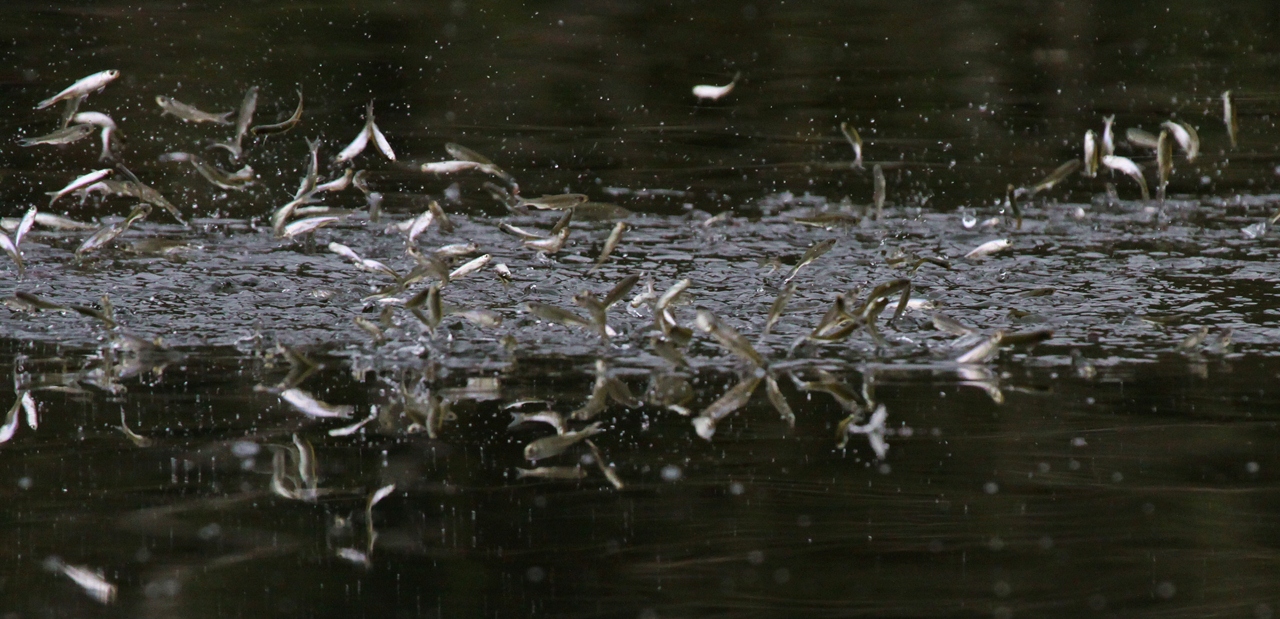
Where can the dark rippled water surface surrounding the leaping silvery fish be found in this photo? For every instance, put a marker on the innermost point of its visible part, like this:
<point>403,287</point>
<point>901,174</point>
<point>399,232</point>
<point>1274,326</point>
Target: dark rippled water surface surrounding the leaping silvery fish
<point>1109,471</point>
